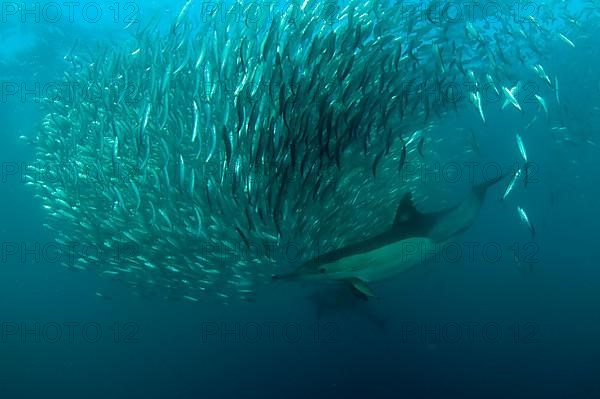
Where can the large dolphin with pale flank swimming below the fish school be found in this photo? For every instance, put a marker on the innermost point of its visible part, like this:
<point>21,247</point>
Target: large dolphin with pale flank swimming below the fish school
<point>413,238</point>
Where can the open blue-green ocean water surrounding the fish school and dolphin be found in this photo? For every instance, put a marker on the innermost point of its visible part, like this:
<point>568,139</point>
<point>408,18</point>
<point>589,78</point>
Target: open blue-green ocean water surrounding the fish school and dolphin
<point>523,322</point>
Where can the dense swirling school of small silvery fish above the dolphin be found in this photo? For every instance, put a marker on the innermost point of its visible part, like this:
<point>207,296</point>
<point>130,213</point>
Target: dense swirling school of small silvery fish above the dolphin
<point>212,152</point>
